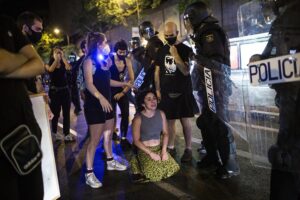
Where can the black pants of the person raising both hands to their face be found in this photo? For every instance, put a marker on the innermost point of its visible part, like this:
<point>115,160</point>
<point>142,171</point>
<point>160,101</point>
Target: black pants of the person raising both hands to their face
<point>60,99</point>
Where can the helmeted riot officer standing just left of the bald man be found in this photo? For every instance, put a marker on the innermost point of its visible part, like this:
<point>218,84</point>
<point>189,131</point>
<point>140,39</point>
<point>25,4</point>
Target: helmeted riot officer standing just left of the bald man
<point>147,31</point>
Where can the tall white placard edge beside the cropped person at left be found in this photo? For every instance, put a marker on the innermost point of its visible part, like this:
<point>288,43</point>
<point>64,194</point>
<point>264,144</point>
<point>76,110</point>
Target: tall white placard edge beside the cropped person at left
<point>50,179</point>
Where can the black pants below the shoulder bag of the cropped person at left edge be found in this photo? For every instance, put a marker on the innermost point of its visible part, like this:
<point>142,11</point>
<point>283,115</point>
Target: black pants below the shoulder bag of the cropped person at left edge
<point>16,187</point>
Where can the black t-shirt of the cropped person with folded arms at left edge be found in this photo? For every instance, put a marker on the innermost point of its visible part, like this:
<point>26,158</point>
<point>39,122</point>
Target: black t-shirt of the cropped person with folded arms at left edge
<point>15,105</point>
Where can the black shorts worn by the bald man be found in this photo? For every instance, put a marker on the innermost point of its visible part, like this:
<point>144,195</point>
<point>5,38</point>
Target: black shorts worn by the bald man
<point>183,106</point>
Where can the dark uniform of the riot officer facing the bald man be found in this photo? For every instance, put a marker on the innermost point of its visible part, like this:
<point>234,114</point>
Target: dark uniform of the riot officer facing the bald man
<point>211,45</point>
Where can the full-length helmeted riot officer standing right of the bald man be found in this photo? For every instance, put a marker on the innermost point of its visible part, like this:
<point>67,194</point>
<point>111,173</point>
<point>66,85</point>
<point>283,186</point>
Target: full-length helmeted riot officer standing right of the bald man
<point>212,55</point>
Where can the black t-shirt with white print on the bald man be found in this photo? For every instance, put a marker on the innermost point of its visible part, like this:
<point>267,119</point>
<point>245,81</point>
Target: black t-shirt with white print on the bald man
<point>172,80</point>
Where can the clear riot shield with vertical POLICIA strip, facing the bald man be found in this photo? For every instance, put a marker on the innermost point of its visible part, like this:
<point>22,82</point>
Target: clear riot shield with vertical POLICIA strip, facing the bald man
<point>213,88</point>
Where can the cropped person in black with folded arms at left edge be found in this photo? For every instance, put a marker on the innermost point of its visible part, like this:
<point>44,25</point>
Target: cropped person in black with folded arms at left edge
<point>18,61</point>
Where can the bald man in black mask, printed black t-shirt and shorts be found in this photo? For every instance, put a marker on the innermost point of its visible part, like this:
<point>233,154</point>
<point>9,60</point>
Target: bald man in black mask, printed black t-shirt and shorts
<point>173,87</point>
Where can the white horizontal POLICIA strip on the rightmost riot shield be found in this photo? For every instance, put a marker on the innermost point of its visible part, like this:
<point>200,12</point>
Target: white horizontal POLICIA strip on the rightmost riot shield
<point>275,70</point>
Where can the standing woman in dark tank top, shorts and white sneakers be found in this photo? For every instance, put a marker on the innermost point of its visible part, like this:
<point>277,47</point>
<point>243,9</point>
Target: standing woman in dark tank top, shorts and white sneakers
<point>97,108</point>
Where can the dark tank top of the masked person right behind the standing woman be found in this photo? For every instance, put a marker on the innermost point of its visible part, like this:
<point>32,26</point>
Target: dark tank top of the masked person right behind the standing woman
<point>117,75</point>
